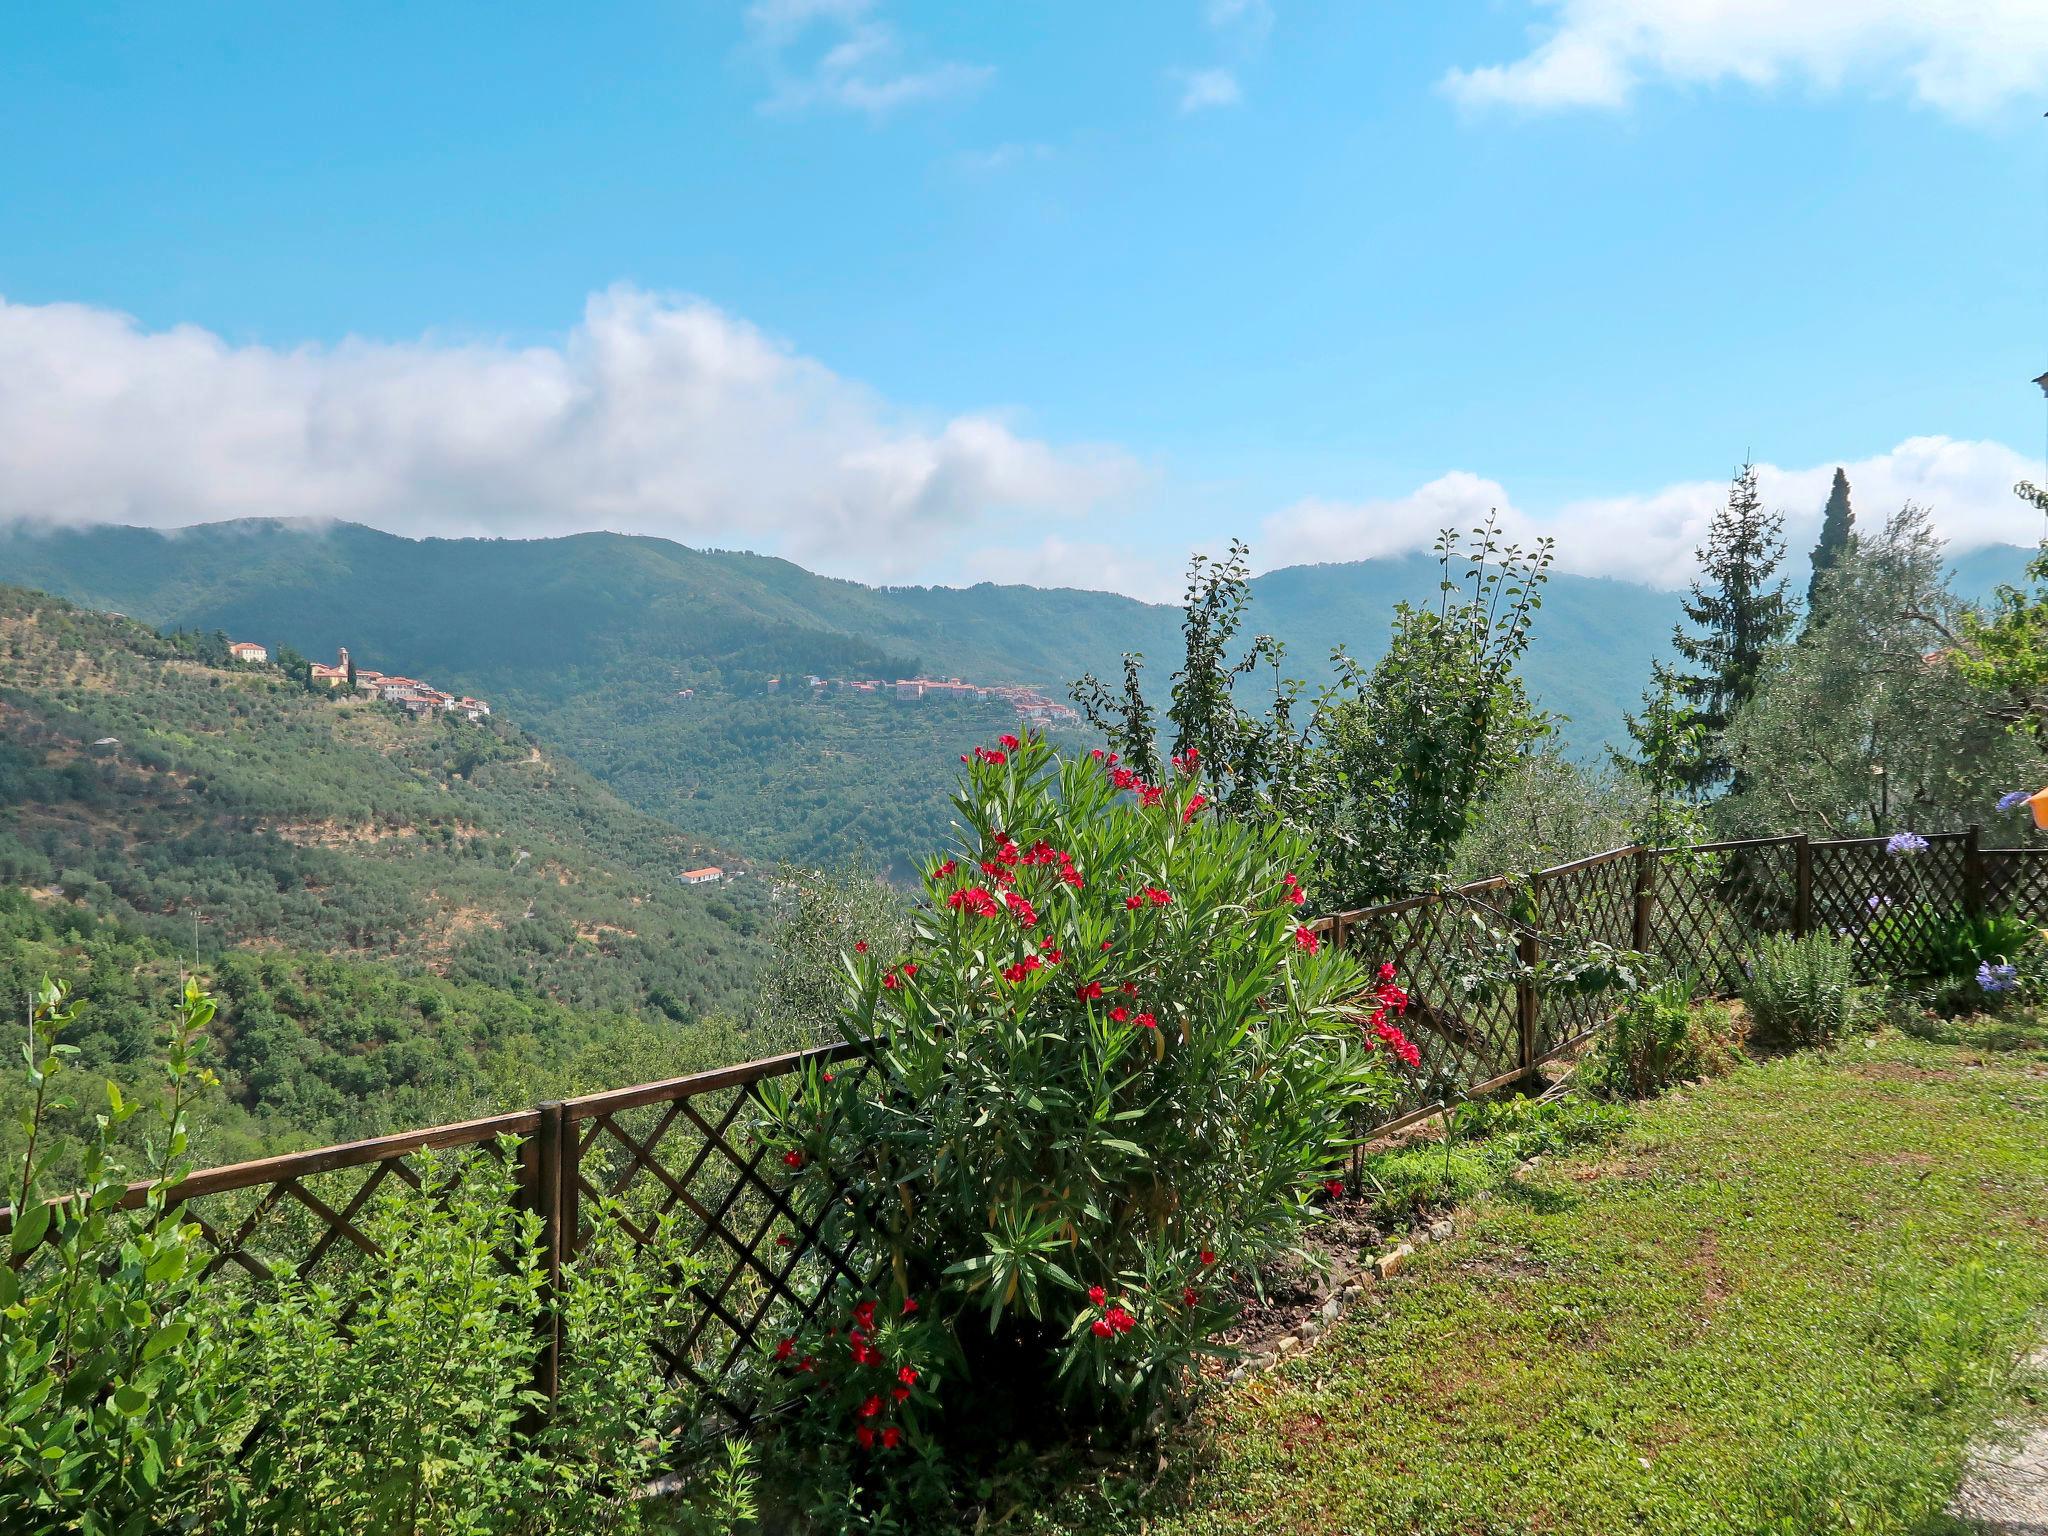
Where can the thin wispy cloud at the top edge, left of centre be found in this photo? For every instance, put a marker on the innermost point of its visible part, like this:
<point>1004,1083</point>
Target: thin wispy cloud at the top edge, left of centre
<point>845,54</point>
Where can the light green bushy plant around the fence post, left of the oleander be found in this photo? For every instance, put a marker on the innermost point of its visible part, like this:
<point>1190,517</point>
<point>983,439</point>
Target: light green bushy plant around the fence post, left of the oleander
<point>402,1398</point>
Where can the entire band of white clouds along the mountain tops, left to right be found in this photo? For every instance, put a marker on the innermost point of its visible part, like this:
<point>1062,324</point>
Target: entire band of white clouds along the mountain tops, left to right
<point>671,417</point>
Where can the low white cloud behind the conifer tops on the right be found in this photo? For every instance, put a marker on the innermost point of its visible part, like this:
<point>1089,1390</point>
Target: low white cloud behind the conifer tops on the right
<point>1652,538</point>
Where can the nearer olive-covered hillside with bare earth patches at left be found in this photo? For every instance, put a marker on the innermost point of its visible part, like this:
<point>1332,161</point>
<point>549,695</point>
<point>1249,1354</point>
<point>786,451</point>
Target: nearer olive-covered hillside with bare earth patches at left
<point>230,808</point>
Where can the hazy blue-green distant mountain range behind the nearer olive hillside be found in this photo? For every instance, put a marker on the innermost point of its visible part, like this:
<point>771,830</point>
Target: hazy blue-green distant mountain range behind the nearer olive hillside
<point>589,642</point>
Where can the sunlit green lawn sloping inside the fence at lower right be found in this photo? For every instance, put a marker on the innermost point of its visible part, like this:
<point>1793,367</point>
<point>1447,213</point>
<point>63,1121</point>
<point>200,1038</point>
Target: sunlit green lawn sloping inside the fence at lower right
<point>1781,1304</point>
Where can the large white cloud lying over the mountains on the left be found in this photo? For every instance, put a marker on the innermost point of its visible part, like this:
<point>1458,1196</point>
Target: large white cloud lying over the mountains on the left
<point>656,415</point>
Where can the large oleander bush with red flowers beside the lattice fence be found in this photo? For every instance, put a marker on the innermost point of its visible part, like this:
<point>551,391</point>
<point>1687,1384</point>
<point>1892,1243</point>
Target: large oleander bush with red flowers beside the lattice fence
<point>1105,1082</point>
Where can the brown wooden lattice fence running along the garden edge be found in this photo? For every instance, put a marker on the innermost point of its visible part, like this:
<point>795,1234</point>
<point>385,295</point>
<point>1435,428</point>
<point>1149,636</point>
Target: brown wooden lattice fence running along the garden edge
<point>685,1148</point>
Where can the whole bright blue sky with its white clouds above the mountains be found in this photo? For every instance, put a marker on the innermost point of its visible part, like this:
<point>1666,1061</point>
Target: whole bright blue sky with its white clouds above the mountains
<point>1091,284</point>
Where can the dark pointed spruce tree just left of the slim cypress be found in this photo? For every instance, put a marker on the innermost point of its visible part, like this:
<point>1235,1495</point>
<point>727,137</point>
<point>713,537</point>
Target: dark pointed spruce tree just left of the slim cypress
<point>1738,613</point>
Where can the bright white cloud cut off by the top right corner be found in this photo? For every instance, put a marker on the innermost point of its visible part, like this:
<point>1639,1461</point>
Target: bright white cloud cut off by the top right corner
<point>1967,58</point>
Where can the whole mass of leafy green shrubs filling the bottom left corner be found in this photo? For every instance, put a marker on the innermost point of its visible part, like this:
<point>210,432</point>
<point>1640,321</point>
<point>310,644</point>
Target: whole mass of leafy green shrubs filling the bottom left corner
<point>398,1398</point>
